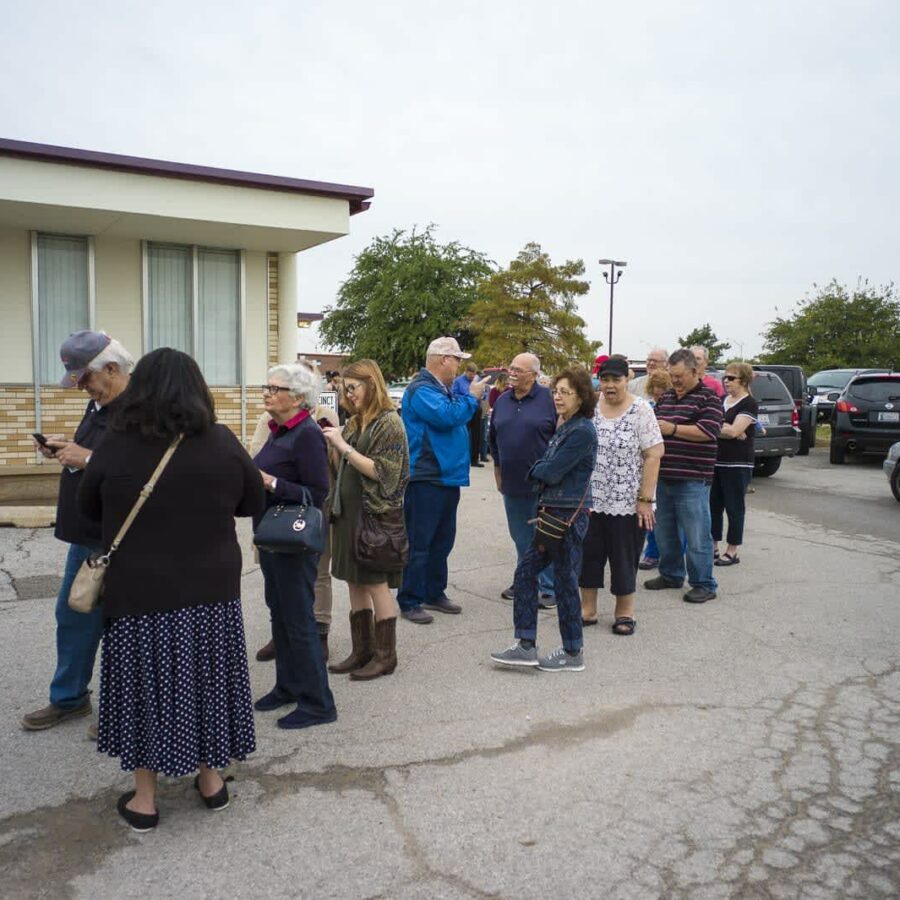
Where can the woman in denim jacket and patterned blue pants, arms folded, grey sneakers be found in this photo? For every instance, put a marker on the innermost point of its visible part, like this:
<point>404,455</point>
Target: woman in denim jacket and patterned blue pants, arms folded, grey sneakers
<point>563,477</point>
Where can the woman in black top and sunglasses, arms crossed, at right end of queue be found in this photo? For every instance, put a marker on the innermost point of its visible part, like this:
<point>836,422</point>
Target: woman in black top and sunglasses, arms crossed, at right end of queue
<point>734,461</point>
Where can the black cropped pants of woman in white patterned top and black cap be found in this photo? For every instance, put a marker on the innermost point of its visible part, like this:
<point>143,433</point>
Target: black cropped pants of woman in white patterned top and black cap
<point>618,539</point>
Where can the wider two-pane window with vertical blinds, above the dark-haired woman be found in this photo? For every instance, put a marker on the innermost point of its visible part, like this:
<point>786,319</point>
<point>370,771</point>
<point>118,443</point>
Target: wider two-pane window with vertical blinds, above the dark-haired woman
<point>193,303</point>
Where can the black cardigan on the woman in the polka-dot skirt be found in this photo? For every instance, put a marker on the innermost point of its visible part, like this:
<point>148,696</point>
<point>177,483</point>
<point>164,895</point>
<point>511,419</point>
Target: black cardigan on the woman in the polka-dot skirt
<point>182,549</point>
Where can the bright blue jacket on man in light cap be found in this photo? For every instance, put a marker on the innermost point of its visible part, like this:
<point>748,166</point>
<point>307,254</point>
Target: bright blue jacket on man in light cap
<point>437,430</point>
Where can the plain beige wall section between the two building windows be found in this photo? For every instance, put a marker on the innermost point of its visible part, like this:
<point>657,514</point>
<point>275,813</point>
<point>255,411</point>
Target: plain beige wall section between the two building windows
<point>117,266</point>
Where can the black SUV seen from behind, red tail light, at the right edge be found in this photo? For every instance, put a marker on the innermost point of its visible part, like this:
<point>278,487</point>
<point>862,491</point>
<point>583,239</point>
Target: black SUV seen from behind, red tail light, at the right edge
<point>866,416</point>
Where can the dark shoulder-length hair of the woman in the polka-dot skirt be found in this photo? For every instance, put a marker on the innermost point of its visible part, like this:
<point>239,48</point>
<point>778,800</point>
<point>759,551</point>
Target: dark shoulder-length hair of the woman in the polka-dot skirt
<point>166,396</point>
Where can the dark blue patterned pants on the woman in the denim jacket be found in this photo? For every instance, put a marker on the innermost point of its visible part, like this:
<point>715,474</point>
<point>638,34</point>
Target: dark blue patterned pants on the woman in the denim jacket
<point>566,566</point>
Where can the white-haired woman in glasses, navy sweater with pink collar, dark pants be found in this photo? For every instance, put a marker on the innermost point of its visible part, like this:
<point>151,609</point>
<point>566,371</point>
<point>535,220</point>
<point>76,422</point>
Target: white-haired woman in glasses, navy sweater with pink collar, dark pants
<point>294,464</point>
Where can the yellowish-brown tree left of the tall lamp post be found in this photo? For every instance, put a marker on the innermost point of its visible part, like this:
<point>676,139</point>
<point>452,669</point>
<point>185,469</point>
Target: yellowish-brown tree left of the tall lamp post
<point>531,306</point>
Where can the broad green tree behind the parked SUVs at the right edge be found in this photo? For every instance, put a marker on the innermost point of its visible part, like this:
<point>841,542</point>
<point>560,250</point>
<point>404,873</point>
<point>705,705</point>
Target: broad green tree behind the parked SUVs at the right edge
<point>835,328</point>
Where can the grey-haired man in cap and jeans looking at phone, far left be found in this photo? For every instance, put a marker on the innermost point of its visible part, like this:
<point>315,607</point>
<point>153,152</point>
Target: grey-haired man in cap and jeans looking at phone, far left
<point>100,366</point>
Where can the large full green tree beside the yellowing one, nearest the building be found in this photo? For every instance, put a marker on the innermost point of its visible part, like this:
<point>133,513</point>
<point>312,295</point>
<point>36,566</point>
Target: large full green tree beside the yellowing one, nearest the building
<point>405,289</point>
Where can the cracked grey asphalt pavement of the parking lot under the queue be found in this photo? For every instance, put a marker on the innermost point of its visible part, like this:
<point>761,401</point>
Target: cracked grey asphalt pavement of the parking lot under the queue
<point>747,747</point>
